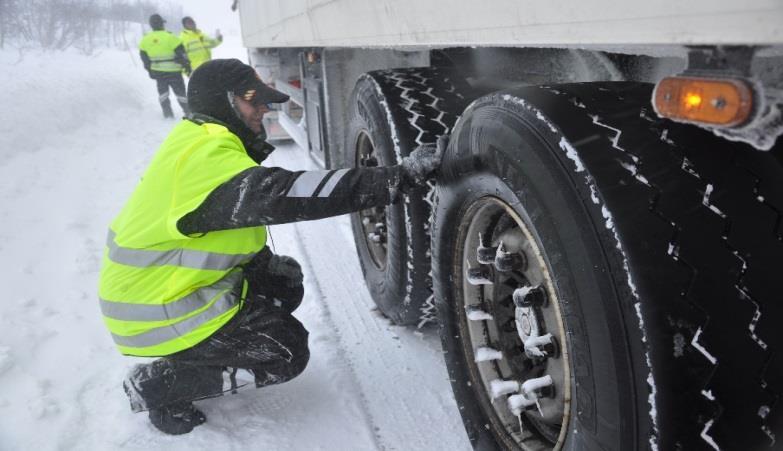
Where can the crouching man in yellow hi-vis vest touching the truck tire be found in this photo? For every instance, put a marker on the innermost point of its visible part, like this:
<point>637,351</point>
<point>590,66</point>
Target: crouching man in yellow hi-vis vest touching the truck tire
<point>187,274</point>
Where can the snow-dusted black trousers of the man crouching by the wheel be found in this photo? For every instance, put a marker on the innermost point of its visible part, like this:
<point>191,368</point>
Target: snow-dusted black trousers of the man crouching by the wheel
<point>262,345</point>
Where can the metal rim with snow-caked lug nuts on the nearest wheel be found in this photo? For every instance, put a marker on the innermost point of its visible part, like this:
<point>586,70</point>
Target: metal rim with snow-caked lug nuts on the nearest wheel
<point>513,333</point>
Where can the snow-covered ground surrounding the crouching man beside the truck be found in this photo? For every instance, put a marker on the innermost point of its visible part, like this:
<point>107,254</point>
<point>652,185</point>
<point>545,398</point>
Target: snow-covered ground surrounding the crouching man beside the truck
<point>75,135</point>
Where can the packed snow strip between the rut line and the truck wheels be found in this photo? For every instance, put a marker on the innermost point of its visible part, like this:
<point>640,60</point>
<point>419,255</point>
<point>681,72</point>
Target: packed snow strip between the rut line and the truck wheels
<point>400,373</point>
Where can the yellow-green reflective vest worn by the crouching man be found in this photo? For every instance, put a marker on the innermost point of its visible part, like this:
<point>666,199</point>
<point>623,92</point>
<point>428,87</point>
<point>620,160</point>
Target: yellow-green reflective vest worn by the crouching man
<point>162,291</point>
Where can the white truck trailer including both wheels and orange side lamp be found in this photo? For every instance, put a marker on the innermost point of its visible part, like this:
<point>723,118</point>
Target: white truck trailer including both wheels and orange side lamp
<point>601,246</point>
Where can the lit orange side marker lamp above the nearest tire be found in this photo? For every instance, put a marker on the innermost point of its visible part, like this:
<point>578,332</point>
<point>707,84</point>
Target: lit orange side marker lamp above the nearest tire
<point>724,102</point>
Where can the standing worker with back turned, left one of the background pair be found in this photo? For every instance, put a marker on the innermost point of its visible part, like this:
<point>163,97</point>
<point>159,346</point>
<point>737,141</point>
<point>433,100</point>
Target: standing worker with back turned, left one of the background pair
<point>164,59</point>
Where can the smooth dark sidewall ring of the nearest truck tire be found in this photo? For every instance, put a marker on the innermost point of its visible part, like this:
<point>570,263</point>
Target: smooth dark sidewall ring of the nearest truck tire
<point>489,157</point>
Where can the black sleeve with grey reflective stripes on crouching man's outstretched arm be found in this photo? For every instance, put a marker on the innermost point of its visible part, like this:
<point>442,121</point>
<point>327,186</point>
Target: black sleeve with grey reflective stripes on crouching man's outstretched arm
<point>265,196</point>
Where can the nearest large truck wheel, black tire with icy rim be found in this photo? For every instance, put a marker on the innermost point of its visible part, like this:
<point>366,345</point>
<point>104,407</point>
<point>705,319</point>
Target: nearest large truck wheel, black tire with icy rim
<point>647,249</point>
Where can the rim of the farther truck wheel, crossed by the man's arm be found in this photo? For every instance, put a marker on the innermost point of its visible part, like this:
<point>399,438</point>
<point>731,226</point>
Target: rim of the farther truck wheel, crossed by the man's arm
<point>373,220</point>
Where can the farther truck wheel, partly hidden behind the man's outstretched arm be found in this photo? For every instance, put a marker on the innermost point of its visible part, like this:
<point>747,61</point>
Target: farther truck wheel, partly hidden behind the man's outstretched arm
<point>393,112</point>
